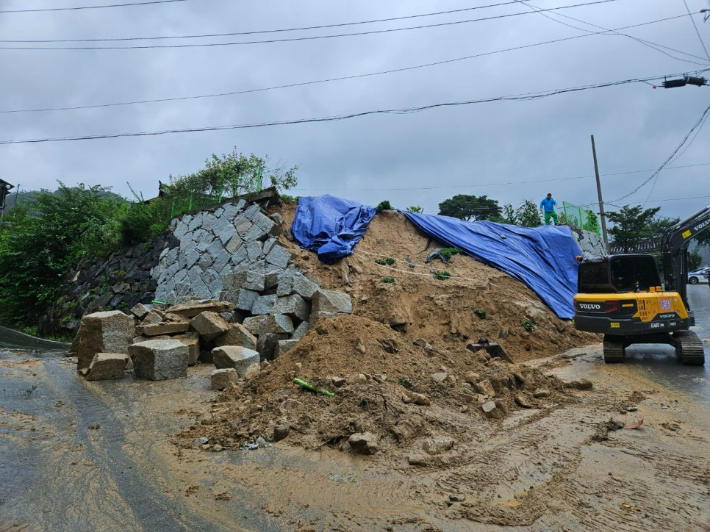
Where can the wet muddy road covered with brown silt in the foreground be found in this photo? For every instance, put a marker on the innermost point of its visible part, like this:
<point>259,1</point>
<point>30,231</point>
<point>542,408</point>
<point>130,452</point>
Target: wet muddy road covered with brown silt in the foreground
<point>78,455</point>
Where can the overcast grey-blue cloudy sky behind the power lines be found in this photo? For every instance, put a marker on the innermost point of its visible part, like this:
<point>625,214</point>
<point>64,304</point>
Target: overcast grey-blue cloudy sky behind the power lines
<point>508,150</point>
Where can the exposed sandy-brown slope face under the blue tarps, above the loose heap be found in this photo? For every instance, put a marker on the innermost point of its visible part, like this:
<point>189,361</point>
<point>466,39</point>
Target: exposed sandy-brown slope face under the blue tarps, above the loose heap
<point>476,302</point>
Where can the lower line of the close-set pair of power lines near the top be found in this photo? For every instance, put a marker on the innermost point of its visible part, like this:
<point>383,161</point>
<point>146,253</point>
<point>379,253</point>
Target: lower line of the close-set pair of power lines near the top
<point>297,39</point>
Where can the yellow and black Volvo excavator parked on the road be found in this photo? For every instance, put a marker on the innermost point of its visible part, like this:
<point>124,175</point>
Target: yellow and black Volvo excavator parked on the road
<point>622,297</point>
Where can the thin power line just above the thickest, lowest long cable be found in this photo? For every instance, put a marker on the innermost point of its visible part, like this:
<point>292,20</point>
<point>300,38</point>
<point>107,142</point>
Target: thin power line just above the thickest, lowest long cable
<point>329,80</point>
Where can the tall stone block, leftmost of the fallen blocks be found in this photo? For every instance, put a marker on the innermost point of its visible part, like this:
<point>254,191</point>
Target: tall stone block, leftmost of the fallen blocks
<point>103,332</point>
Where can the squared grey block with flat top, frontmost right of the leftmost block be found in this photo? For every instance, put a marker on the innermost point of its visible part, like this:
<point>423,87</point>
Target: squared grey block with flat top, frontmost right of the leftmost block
<point>159,359</point>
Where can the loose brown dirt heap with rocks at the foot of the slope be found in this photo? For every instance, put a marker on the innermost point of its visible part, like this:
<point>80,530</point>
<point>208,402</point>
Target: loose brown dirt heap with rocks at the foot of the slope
<point>405,395</point>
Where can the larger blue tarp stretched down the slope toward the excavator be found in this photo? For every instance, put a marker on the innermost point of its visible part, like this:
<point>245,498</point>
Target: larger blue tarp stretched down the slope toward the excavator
<point>542,257</point>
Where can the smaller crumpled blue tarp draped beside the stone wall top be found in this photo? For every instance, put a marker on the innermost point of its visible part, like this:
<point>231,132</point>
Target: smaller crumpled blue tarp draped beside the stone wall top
<point>330,226</point>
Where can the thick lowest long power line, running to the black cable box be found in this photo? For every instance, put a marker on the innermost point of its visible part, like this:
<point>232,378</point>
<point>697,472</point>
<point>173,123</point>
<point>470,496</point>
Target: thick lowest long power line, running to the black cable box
<point>406,110</point>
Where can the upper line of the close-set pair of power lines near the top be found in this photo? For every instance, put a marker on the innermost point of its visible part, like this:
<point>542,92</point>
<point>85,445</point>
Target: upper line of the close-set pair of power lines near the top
<point>256,32</point>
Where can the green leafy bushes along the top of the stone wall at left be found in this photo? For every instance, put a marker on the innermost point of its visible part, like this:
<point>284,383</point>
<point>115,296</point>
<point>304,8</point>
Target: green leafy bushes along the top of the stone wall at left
<point>47,232</point>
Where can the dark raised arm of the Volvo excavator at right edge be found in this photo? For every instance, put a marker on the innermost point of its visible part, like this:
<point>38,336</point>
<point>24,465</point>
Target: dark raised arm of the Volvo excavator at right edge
<point>673,250</point>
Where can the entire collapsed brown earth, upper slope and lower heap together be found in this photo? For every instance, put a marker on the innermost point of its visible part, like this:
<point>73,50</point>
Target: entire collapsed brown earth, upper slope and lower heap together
<point>398,366</point>
